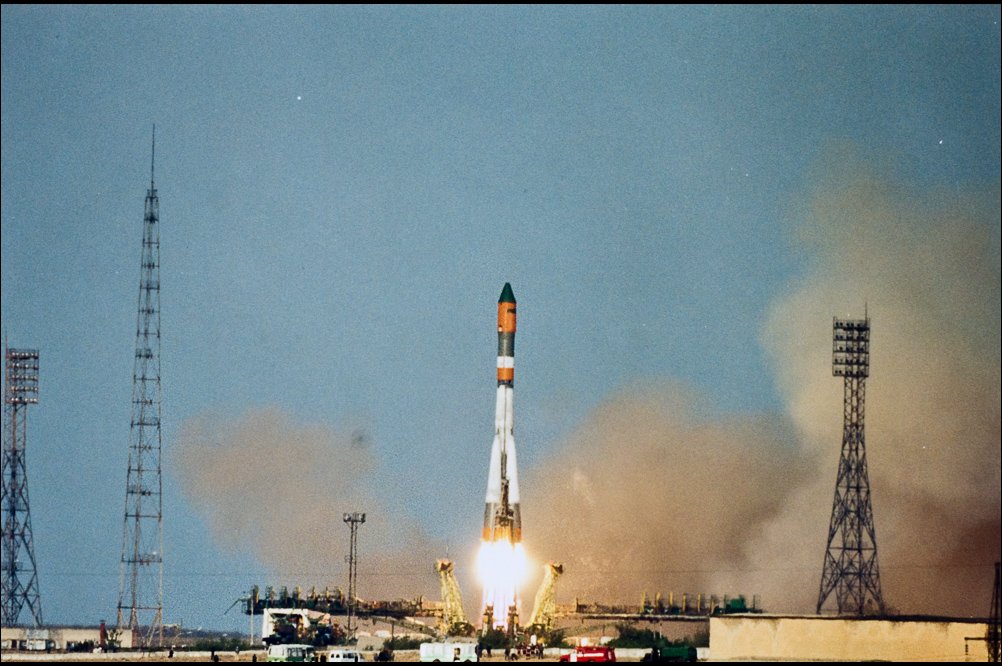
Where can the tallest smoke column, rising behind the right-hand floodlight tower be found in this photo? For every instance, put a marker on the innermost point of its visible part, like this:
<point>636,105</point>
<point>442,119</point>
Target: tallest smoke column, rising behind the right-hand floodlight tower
<point>927,268</point>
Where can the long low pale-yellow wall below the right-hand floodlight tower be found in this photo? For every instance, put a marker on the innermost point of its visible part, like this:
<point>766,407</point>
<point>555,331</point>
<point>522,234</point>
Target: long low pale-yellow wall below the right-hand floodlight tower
<point>764,637</point>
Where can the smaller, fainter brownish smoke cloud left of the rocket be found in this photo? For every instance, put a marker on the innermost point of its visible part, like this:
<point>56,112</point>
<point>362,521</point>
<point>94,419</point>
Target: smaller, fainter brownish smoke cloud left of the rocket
<point>280,489</point>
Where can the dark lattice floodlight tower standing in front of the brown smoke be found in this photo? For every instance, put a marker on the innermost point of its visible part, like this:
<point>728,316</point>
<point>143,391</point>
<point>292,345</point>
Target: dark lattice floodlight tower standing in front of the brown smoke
<point>851,560</point>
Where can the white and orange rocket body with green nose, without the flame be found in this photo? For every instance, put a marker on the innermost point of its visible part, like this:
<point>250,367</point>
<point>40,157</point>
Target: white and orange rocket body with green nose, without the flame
<point>503,514</point>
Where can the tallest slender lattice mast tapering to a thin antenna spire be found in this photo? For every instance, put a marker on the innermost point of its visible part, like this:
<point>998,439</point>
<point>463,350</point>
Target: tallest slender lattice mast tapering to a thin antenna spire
<point>141,589</point>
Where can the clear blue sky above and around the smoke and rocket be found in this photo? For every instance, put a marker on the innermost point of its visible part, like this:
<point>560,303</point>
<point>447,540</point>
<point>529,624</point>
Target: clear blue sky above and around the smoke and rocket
<point>345,191</point>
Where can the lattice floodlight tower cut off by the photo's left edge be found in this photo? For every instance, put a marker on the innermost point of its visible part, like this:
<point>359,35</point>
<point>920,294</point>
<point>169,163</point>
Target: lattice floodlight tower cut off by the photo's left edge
<point>21,577</point>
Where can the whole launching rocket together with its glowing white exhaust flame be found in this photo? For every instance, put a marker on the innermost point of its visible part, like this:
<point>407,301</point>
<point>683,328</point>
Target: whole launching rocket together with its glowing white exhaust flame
<point>502,563</point>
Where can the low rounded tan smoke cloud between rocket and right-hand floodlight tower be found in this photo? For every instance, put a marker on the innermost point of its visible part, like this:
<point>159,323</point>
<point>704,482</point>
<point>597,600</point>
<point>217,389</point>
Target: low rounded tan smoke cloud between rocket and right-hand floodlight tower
<point>653,494</point>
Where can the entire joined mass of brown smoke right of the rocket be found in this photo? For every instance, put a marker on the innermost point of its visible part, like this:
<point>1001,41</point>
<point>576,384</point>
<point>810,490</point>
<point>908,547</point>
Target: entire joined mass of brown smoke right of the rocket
<point>647,496</point>
